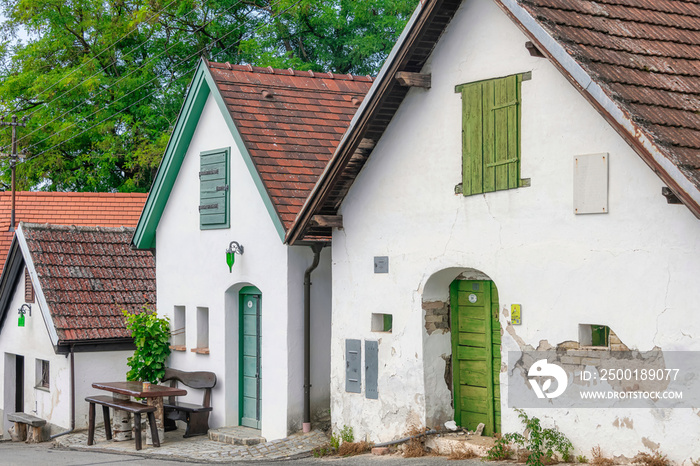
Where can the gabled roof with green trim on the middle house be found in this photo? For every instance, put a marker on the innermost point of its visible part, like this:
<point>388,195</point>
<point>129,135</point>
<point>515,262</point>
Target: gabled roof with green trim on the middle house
<point>286,125</point>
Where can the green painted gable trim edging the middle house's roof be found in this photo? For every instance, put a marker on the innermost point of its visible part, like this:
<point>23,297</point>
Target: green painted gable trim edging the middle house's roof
<point>202,85</point>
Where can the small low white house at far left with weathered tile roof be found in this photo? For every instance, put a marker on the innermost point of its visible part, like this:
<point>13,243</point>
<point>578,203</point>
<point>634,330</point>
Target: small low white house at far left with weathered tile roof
<point>73,284</point>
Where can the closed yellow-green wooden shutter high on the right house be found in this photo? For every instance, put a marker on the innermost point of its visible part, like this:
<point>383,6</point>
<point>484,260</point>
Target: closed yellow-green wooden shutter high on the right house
<point>490,135</point>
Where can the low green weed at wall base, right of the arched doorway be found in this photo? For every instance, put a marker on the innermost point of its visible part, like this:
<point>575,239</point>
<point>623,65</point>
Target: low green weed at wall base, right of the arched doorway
<point>540,443</point>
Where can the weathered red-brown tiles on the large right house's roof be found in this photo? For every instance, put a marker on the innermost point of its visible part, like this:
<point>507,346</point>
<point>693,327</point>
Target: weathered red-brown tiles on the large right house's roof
<point>645,54</point>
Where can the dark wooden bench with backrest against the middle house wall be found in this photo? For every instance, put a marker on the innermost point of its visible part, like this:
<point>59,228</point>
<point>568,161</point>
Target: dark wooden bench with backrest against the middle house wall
<point>196,416</point>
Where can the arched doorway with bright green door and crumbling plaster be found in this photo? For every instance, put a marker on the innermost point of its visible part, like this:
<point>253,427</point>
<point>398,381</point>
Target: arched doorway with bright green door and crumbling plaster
<point>461,349</point>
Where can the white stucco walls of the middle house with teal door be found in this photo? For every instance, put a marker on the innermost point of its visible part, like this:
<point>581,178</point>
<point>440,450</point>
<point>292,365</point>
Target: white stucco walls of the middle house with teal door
<point>192,274</point>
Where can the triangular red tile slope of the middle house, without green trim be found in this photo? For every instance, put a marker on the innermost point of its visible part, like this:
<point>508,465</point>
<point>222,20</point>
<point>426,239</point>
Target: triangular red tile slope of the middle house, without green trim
<point>290,122</point>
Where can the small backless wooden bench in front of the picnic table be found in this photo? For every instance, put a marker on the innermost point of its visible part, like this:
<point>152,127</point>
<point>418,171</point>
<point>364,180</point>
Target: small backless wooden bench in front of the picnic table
<point>125,405</point>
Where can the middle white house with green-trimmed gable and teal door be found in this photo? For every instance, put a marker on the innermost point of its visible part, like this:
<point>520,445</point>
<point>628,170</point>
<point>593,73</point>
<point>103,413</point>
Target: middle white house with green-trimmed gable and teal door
<point>247,148</point>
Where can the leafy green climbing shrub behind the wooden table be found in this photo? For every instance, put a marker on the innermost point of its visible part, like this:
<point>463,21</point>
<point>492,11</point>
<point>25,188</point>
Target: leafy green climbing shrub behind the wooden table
<point>151,336</point>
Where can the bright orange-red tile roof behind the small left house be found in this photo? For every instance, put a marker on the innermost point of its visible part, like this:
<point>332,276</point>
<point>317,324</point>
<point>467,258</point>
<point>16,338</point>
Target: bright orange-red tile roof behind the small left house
<point>88,209</point>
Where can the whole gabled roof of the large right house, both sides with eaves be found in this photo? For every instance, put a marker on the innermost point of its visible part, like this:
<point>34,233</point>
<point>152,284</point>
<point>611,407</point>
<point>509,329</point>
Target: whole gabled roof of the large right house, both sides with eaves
<point>636,61</point>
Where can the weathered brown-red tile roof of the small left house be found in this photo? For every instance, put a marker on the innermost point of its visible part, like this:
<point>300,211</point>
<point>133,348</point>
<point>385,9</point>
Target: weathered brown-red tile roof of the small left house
<point>88,276</point>
